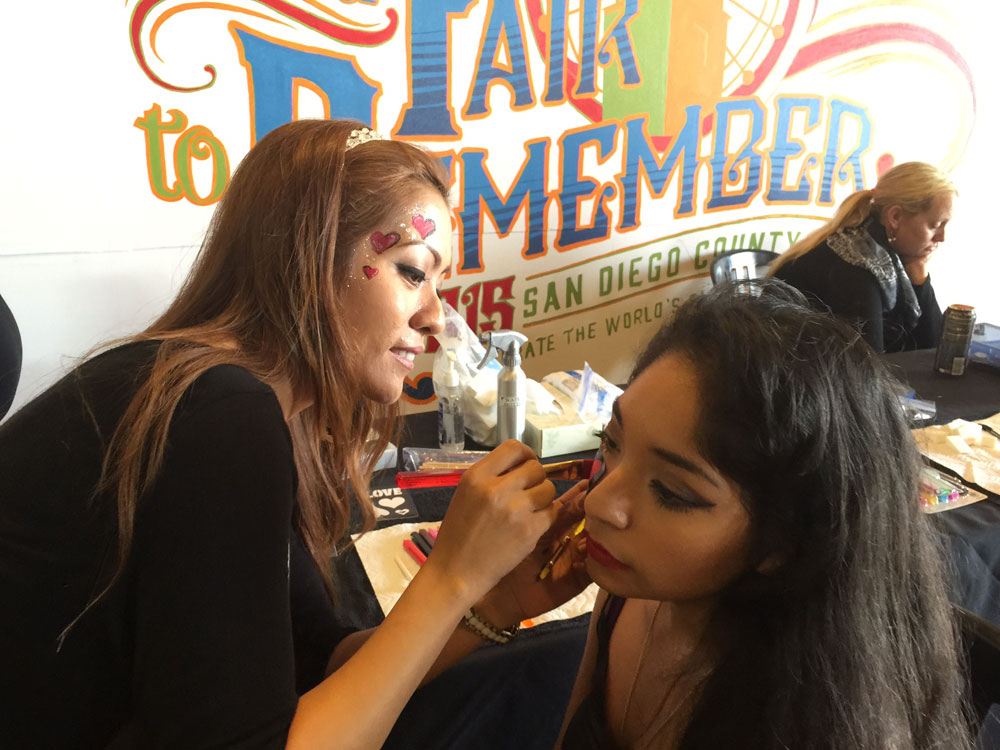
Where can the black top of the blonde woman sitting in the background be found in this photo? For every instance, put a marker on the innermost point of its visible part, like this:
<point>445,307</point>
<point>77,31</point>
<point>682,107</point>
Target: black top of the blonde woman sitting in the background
<point>853,294</point>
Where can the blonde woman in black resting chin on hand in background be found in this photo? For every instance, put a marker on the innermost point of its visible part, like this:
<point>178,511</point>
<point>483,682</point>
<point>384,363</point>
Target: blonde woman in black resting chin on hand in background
<point>868,265</point>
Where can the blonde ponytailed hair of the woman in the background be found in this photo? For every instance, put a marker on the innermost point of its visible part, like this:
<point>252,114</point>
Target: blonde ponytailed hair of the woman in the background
<point>912,186</point>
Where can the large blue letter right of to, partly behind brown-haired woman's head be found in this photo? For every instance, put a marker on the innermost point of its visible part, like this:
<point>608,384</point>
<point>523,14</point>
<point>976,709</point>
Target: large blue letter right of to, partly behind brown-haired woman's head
<point>271,69</point>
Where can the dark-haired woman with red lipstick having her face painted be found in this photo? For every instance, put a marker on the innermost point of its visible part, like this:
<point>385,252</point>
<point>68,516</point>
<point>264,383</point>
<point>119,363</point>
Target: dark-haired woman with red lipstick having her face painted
<point>767,578</point>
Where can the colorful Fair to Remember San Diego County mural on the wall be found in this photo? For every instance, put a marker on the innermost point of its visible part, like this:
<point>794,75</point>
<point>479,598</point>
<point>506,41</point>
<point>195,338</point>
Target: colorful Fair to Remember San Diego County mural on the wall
<point>602,151</point>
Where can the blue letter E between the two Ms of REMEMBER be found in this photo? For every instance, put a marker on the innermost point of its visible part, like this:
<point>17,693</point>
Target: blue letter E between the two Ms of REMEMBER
<point>575,188</point>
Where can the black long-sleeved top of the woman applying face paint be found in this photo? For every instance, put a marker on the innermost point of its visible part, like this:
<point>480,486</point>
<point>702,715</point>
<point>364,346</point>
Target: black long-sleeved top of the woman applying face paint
<point>196,643</point>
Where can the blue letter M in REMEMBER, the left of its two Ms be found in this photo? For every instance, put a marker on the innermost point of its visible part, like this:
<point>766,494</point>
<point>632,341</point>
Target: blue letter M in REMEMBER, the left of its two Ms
<point>480,193</point>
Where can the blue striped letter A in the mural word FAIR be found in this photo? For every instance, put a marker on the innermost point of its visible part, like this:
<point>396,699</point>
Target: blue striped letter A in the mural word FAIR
<point>503,21</point>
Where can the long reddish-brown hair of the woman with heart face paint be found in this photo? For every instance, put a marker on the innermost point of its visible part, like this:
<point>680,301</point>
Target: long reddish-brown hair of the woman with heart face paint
<point>264,294</point>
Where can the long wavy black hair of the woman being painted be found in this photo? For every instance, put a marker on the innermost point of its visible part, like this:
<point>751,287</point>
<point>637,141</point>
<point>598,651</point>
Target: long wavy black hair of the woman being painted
<point>847,639</point>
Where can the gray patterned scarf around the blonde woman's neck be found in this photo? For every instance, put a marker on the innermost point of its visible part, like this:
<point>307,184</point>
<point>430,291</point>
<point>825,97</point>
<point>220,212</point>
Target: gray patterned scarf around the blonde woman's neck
<point>856,246</point>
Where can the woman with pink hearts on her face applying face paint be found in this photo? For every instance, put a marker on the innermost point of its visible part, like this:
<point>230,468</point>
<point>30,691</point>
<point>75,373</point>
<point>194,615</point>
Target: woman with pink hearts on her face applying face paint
<point>169,509</point>
